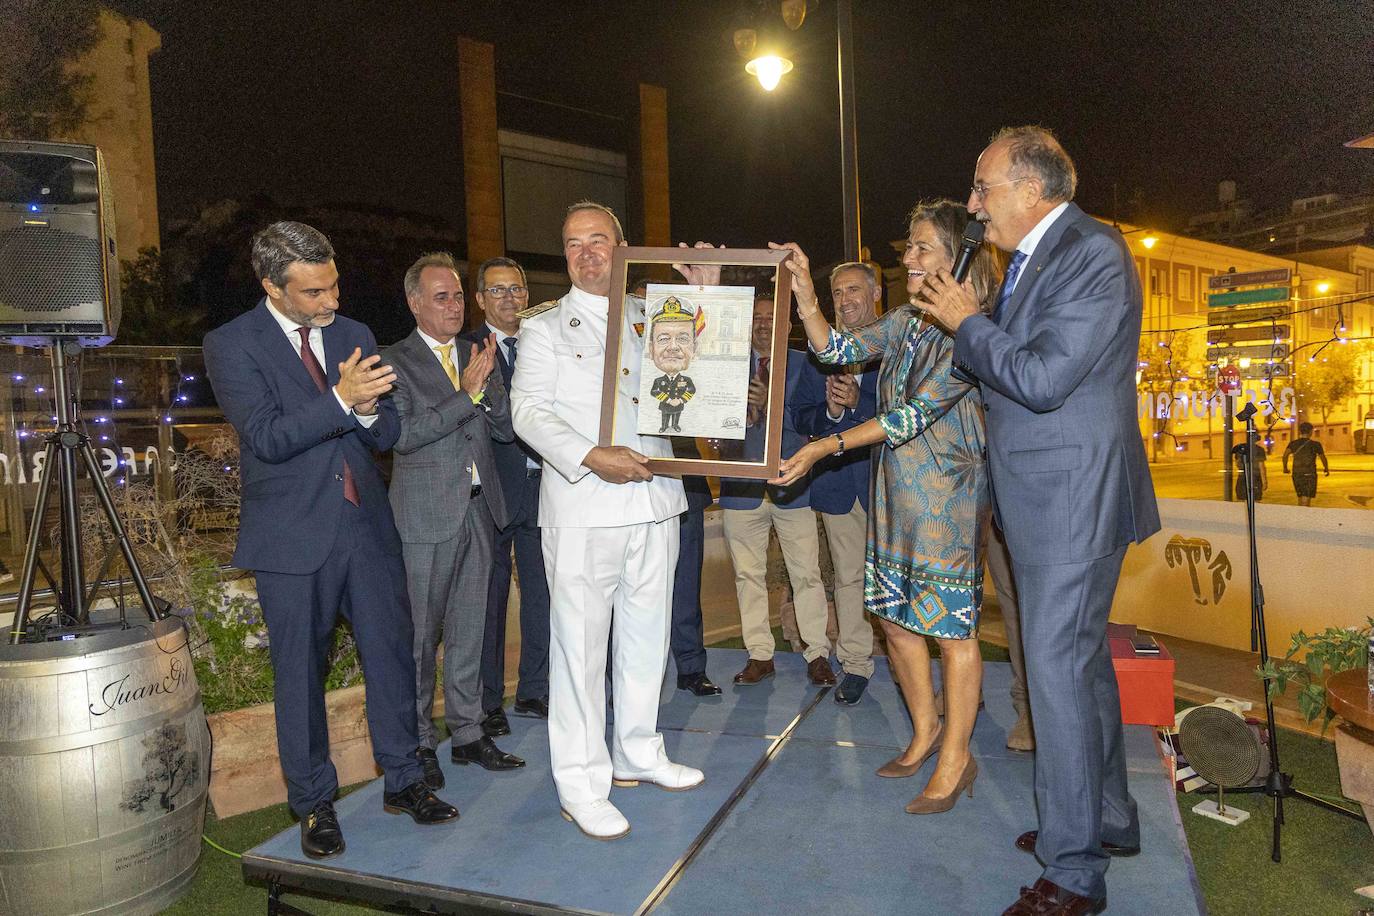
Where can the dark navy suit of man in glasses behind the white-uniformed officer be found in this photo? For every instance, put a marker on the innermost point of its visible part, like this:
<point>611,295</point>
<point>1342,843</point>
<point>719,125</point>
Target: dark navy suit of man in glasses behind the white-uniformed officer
<point>520,485</point>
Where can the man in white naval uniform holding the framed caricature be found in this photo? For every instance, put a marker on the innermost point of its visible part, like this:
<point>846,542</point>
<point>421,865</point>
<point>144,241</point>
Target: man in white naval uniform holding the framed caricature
<point>609,536</point>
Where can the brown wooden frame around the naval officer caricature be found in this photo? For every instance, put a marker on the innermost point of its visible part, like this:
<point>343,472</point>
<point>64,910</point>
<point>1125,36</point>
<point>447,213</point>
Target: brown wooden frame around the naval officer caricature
<point>623,259</point>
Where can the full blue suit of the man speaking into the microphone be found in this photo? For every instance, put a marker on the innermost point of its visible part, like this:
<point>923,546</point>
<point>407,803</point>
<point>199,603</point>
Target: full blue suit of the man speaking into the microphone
<point>1072,491</point>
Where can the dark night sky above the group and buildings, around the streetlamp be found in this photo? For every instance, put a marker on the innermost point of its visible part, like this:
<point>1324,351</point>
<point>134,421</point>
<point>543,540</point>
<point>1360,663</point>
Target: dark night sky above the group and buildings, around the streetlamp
<point>357,102</point>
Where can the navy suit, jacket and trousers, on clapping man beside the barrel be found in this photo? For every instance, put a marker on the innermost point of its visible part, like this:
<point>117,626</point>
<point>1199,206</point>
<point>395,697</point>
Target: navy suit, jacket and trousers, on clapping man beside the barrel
<point>314,553</point>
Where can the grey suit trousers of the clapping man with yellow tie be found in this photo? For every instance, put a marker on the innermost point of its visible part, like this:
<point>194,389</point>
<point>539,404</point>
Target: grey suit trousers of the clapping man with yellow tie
<point>449,598</point>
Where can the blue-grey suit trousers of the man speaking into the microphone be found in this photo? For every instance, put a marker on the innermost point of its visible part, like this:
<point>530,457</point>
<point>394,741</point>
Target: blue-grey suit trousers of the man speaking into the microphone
<point>1081,783</point>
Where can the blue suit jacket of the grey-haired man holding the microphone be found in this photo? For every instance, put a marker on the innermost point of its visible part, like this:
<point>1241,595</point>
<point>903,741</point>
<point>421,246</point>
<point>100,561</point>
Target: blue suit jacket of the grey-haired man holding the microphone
<point>1070,476</point>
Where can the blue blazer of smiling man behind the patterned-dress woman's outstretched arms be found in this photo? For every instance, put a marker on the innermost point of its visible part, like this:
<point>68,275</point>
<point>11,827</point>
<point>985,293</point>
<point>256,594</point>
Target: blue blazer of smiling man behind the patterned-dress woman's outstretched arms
<point>840,480</point>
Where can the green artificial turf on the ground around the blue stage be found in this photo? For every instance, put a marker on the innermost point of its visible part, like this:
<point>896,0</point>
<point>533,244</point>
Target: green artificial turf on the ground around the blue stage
<point>1325,856</point>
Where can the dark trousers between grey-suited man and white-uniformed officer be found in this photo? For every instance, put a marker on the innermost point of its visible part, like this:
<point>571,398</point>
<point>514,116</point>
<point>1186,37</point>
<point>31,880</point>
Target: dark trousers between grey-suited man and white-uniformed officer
<point>534,606</point>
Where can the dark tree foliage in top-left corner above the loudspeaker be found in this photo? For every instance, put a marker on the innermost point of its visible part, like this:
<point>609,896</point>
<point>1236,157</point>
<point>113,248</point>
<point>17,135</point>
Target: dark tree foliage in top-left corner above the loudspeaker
<point>42,98</point>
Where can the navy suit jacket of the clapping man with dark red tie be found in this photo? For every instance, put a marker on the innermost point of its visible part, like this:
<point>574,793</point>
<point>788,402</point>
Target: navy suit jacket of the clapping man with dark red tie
<point>293,442</point>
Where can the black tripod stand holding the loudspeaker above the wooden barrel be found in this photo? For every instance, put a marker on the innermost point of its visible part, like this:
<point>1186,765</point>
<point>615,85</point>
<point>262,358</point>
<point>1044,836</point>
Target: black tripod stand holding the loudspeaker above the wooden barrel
<point>65,447</point>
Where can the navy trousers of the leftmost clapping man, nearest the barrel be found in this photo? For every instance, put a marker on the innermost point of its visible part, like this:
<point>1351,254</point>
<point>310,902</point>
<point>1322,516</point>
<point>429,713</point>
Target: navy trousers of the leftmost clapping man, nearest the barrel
<point>302,612</point>
